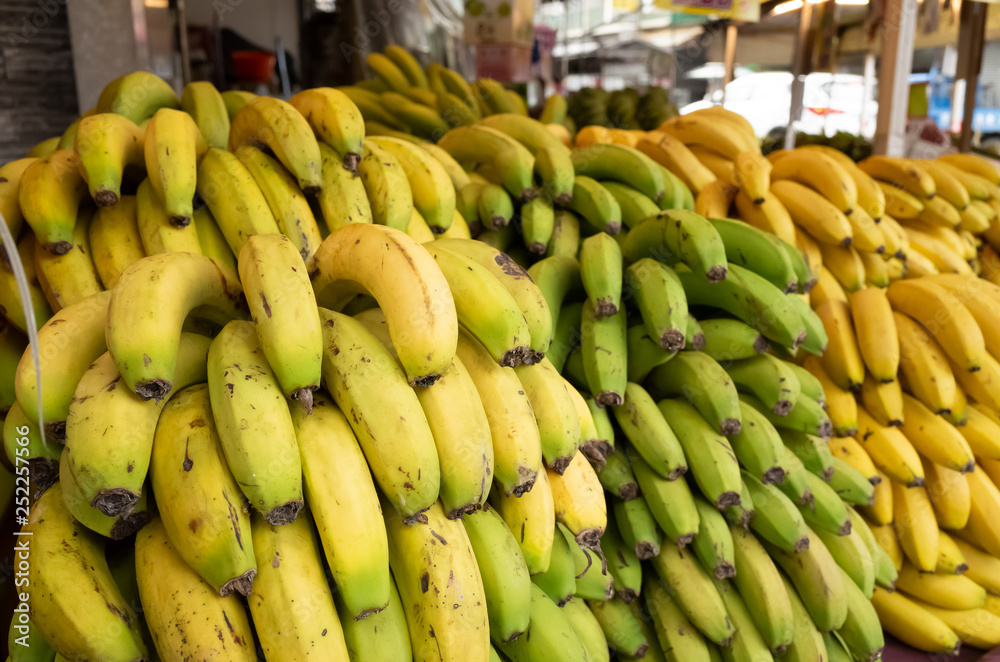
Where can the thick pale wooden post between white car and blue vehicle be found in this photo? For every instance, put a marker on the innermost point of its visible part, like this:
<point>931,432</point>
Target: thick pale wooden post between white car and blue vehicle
<point>898,27</point>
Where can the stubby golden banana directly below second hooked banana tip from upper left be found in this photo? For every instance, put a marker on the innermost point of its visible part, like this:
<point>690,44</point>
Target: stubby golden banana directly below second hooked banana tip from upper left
<point>115,242</point>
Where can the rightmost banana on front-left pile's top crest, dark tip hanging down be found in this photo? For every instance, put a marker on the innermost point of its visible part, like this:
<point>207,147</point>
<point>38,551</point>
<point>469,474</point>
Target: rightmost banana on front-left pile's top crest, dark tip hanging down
<point>336,121</point>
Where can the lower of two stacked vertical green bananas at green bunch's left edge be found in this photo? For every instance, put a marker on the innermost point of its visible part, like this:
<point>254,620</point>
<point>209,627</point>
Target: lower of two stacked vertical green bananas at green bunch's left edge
<point>603,347</point>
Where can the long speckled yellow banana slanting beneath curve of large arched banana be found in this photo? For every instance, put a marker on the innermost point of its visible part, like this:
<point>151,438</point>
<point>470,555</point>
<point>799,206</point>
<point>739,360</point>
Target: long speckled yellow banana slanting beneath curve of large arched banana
<point>365,379</point>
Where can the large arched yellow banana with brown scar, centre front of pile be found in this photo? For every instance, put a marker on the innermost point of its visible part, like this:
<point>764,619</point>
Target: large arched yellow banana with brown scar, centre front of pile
<point>345,266</point>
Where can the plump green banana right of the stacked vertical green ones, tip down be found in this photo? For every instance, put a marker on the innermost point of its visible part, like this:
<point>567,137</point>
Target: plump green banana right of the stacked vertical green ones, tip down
<point>661,301</point>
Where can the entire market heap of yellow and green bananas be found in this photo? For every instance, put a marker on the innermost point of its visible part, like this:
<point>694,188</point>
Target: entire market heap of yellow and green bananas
<point>304,383</point>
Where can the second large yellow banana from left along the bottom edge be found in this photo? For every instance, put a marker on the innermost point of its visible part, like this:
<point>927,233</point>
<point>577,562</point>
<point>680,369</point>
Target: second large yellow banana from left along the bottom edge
<point>186,617</point>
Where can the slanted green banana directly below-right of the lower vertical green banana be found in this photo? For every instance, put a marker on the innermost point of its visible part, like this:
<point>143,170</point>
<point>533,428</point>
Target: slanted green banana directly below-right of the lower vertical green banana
<point>649,434</point>
